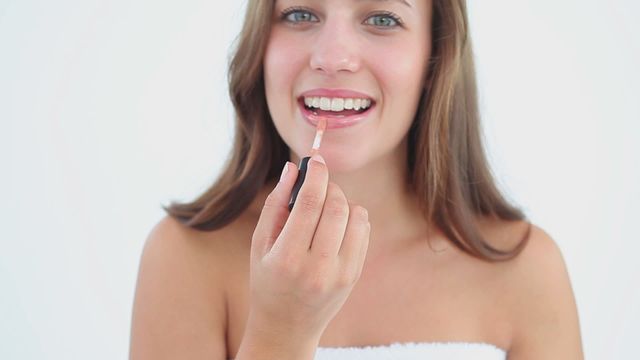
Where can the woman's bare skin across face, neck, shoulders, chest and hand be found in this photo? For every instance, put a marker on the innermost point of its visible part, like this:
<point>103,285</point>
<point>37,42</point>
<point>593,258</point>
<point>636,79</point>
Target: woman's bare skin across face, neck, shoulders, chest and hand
<point>237,292</point>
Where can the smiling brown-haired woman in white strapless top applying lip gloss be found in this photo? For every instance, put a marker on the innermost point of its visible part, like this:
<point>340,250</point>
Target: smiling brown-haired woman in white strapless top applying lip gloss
<point>398,234</point>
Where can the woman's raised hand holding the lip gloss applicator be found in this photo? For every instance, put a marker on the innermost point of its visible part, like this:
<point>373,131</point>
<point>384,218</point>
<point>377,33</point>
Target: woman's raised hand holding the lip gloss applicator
<point>304,264</point>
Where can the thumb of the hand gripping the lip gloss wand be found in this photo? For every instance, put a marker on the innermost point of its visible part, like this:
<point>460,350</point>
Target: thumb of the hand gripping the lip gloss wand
<point>275,212</point>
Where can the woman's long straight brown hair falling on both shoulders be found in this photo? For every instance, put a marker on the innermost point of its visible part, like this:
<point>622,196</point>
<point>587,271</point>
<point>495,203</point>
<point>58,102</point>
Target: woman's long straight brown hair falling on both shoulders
<point>446,160</point>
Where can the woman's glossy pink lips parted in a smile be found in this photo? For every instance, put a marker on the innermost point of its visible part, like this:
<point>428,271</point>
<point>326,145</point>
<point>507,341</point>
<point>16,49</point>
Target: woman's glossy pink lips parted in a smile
<point>334,122</point>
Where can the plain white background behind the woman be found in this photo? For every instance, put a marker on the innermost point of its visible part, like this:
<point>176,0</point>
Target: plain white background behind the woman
<point>109,109</point>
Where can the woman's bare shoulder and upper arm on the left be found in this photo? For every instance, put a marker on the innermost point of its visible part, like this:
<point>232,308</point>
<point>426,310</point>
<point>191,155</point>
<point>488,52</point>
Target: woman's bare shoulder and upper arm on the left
<point>179,308</point>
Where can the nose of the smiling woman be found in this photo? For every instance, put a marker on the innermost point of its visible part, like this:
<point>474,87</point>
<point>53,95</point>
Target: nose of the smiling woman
<point>335,49</point>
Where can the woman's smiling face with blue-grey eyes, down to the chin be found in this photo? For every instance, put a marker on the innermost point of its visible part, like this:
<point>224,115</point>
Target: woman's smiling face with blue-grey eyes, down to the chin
<point>359,63</point>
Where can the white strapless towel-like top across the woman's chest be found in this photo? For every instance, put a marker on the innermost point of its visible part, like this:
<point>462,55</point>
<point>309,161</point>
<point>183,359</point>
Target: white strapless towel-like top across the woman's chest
<point>415,351</point>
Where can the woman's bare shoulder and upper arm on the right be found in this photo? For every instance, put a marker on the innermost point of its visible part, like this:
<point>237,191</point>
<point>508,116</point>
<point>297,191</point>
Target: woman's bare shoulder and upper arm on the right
<point>545,319</point>
